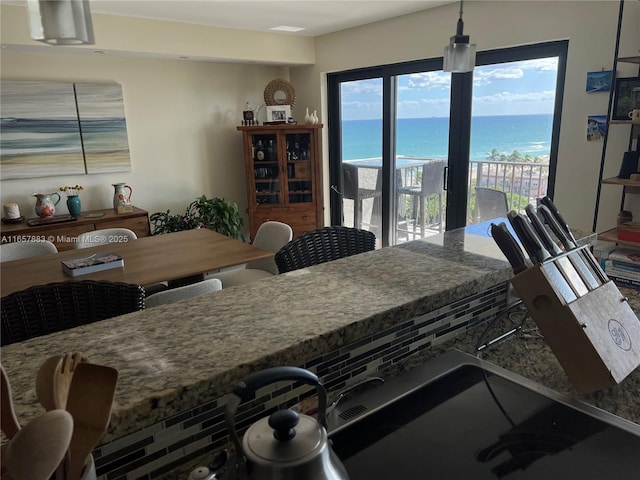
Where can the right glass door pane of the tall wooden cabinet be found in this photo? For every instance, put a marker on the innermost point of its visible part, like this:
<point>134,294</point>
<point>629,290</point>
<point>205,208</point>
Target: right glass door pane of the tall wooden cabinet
<point>299,176</point>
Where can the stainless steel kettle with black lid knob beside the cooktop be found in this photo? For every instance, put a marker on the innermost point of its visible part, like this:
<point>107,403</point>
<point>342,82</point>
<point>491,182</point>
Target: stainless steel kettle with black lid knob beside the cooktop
<point>286,445</point>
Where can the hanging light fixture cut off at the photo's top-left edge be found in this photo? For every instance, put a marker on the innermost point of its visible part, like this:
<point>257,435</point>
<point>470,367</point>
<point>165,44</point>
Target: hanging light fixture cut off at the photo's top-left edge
<point>61,22</point>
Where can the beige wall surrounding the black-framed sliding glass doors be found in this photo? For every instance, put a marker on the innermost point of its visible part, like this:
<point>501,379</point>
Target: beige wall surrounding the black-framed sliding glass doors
<point>590,27</point>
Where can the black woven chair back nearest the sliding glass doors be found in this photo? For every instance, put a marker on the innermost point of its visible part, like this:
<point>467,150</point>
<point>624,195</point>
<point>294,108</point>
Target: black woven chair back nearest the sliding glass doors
<point>323,245</point>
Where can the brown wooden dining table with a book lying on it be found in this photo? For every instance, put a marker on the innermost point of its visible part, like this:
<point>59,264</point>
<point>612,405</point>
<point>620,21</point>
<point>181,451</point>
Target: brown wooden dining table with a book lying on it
<point>147,261</point>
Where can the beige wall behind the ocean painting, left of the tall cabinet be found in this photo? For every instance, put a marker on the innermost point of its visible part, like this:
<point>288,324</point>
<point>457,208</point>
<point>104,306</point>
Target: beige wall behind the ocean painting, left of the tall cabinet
<point>181,122</point>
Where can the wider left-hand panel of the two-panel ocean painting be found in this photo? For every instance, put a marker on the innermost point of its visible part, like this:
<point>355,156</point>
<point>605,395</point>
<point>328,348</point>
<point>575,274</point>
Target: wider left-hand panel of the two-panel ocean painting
<point>40,134</point>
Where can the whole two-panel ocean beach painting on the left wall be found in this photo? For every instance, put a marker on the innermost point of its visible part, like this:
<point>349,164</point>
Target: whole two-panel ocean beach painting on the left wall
<point>51,129</point>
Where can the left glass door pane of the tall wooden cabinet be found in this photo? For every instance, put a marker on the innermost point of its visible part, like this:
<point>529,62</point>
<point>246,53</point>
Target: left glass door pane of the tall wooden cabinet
<point>266,172</point>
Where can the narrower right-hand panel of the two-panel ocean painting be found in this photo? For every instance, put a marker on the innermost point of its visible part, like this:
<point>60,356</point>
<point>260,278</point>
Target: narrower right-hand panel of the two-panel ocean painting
<point>103,127</point>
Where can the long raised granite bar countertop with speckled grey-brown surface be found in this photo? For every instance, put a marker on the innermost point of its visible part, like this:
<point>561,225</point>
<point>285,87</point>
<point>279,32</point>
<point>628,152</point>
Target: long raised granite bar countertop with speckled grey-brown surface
<point>174,357</point>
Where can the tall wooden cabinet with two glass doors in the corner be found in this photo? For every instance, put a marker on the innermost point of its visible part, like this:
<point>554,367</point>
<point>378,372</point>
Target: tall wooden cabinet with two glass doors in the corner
<point>283,168</point>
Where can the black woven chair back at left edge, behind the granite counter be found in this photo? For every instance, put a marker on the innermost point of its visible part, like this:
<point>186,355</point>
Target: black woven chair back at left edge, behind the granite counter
<point>52,307</point>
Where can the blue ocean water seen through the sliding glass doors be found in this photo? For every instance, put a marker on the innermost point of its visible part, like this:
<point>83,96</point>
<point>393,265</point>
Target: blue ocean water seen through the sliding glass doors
<point>429,137</point>
